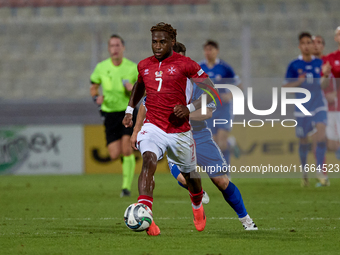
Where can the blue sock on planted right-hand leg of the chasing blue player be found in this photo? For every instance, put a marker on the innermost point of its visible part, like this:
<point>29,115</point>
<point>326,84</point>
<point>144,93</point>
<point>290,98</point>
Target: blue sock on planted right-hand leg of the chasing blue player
<point>233,197</point>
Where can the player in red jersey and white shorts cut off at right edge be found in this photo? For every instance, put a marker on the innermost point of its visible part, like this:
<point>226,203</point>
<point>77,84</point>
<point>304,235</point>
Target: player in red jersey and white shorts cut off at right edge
<point>332,93</point>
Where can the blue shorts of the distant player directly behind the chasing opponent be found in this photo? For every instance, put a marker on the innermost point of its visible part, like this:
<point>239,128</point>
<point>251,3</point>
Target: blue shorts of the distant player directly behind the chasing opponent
<point>224,113</point>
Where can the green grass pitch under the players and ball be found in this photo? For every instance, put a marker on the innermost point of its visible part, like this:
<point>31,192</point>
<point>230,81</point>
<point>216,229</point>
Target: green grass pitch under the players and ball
<point>84,215</point>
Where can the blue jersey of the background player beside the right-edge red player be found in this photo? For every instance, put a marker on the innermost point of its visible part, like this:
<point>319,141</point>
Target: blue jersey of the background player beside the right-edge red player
<point>312,70</point>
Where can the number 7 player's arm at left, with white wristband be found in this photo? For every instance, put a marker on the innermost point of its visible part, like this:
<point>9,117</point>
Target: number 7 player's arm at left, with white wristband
<point>136,95</point>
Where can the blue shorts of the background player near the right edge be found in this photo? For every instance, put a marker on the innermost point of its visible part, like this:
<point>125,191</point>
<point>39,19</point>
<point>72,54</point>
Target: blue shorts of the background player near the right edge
<point>307,124</point>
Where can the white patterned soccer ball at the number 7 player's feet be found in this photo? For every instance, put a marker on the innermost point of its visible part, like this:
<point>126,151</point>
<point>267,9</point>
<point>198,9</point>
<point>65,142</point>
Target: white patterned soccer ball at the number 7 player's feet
<point>138,217</point>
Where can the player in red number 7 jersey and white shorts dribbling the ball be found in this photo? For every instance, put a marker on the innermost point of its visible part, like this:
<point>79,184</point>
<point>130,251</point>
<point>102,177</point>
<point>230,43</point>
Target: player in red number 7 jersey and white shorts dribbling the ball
<point>163,77</point>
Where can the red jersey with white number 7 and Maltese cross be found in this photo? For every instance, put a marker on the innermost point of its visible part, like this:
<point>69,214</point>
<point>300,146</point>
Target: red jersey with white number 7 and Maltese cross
<point>166,86</point>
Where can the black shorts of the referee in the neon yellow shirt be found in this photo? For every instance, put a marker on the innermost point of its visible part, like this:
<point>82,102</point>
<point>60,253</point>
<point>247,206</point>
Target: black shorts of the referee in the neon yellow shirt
<point>114,129</point>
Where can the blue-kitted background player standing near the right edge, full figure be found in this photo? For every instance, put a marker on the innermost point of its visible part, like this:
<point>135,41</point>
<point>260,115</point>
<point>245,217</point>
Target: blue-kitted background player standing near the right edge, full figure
<point>305,72</point>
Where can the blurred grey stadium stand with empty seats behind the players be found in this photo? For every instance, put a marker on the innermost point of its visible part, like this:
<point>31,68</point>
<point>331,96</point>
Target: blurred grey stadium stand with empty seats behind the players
<point>49,48</point>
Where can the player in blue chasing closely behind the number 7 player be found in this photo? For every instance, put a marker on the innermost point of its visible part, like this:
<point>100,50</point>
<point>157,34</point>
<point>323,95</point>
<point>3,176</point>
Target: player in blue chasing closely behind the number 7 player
<point>208,154</point>
